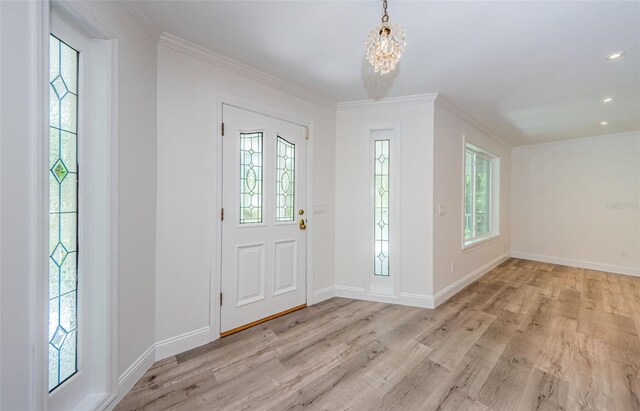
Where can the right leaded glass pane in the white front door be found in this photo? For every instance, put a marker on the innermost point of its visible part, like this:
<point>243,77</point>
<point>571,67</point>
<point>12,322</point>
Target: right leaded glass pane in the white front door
<point>285,180</point>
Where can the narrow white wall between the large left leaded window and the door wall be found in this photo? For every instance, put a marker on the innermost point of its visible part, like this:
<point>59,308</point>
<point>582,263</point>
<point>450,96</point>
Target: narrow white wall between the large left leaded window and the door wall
<point>137,181</point>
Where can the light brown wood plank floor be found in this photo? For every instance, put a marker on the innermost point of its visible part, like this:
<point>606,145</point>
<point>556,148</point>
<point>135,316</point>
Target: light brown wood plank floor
<point>526,336</point>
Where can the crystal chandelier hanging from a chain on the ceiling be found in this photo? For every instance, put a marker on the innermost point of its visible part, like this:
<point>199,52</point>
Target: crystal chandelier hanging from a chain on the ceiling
<point>385,44</point>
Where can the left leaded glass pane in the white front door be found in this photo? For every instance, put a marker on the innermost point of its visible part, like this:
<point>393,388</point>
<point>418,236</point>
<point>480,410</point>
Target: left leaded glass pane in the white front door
<point>250,178</point>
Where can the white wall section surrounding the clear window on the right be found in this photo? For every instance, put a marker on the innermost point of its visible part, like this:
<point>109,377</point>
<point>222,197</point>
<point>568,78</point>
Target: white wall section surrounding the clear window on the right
<point>451,129</point>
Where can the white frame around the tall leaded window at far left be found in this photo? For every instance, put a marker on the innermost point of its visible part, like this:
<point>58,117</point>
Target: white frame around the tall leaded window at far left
<point>96,376</point>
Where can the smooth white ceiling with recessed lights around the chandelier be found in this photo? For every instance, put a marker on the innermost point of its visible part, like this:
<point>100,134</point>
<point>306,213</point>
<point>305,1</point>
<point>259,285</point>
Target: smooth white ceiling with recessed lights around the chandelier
<point>528,72</point>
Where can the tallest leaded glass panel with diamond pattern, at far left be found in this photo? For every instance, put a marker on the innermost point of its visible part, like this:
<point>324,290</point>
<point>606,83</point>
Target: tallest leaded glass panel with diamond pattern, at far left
<point>63,212</point>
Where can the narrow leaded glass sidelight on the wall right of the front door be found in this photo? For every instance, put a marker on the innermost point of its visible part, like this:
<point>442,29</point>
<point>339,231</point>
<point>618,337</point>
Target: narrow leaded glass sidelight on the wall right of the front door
<point>381,159</point>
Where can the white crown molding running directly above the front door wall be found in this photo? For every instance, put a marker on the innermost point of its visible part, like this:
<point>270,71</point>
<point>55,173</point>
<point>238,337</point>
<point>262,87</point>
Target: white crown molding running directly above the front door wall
<point>191,49</point>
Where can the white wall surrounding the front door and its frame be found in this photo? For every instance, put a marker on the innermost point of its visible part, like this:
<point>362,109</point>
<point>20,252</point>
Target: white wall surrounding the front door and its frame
<point>189,90</point>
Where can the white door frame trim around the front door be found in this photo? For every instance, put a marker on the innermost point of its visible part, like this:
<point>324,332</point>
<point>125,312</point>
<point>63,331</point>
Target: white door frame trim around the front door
<point>216,203</point>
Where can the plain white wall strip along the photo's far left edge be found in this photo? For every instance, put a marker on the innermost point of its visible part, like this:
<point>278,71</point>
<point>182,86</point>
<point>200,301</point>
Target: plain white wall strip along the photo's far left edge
<point>18,136</point>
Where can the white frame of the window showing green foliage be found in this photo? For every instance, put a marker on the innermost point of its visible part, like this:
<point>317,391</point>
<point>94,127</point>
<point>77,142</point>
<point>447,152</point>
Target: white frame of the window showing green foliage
<point>493,197</point>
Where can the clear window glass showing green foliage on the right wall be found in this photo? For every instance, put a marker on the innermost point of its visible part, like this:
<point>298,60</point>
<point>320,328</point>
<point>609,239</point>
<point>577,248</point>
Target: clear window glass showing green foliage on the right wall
<point>479,193</point>
